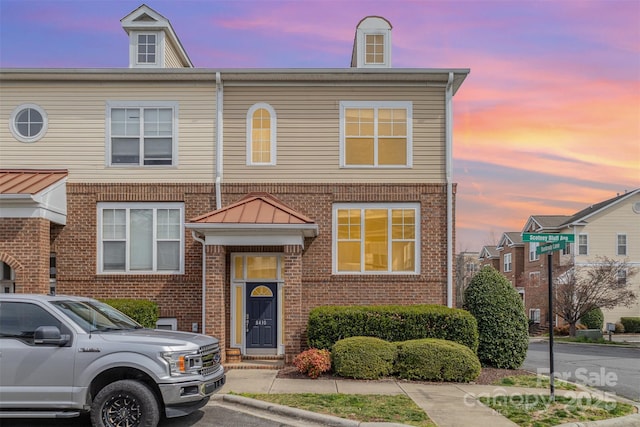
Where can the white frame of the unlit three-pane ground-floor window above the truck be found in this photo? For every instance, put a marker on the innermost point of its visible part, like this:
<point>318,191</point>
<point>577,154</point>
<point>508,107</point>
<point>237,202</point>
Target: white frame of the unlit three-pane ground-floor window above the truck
<point>101,206</point>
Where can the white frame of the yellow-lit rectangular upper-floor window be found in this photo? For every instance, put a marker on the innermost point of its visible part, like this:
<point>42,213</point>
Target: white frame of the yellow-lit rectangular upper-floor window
<point>407,105</point>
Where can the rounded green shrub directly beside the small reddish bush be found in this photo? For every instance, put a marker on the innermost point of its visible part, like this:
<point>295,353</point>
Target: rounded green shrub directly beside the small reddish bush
<point>363,357</point>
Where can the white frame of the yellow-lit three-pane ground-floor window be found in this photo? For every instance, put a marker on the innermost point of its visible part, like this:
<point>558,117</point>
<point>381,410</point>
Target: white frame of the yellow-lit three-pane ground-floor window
<point>365,206</point>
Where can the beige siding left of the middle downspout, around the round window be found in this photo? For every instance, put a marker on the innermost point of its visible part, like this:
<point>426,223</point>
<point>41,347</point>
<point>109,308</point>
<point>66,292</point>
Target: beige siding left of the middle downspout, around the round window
<point>75,139</point>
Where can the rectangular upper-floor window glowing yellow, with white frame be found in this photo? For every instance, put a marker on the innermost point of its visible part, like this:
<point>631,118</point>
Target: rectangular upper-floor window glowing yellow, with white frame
<point>375,134</point>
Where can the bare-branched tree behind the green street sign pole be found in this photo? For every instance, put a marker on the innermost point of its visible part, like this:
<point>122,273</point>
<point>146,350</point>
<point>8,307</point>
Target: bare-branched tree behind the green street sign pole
<point>603,284</point>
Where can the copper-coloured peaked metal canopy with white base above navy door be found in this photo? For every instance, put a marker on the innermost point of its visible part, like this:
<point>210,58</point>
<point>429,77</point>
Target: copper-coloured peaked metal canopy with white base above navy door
<point>258,219</point>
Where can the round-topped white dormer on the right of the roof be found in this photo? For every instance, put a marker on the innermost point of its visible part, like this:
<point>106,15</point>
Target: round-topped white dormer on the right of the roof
<point>372,44</point>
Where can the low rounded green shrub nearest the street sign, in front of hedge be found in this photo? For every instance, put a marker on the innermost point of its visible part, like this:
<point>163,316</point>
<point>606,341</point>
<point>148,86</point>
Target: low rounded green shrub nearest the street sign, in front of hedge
<point>436,360</point>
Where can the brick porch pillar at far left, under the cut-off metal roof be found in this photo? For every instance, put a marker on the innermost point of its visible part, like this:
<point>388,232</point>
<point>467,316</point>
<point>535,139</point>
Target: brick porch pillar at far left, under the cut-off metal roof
<point>25,245</point>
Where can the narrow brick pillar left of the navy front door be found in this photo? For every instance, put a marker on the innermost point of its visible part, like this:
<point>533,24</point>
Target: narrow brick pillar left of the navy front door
<point>214,298</point>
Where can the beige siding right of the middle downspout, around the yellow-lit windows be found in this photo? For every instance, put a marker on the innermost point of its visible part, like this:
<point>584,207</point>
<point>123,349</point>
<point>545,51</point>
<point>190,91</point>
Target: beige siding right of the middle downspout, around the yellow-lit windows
<point>308,133</point>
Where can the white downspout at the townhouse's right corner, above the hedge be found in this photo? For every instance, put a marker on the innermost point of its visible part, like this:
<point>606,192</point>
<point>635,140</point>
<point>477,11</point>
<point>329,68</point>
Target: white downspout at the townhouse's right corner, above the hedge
<point>449,178</point>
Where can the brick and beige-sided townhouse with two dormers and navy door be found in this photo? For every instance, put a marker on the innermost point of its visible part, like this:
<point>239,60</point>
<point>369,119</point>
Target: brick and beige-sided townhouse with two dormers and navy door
<point>237,200</point>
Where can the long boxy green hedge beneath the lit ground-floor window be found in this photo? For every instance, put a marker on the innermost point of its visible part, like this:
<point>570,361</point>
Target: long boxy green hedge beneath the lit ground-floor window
<point>394,323</point>
